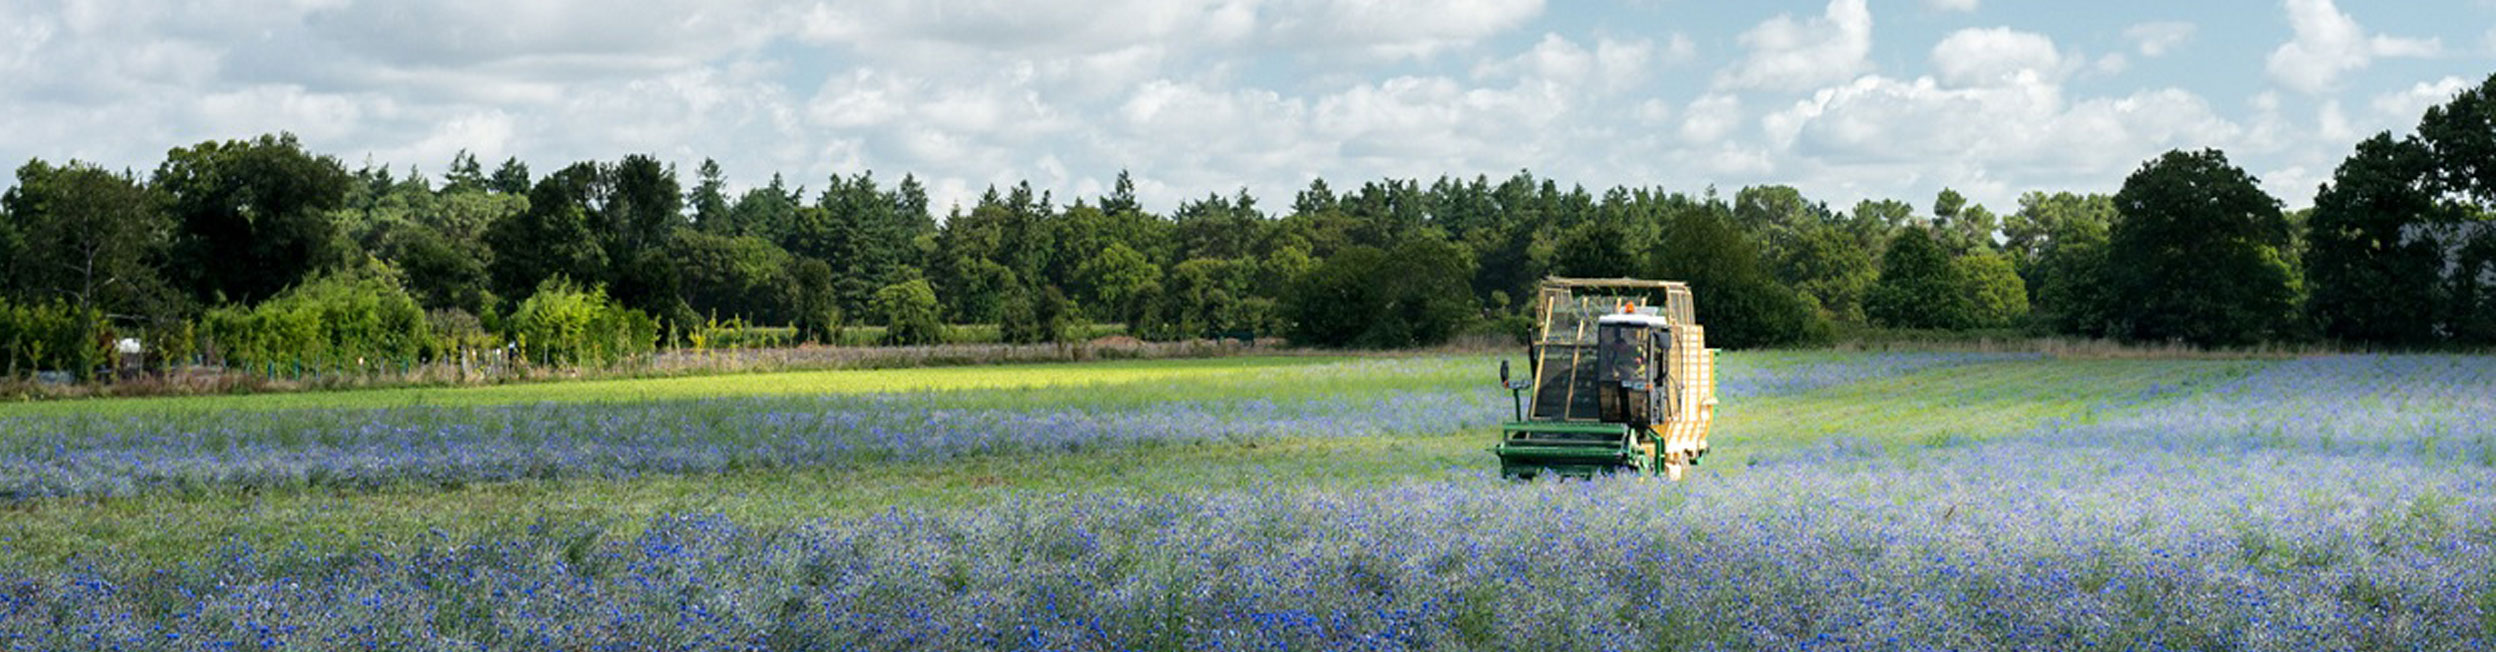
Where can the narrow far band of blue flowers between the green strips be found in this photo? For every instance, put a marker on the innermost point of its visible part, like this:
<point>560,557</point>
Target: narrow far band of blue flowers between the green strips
<point>116,456</point>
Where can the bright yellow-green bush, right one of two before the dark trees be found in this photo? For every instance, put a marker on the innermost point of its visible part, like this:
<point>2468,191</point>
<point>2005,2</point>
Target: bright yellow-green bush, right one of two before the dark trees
<point>580,326</point>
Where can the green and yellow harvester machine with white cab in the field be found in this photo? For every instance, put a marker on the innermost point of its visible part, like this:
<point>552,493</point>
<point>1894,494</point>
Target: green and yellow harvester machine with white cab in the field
<point>1619,378</point>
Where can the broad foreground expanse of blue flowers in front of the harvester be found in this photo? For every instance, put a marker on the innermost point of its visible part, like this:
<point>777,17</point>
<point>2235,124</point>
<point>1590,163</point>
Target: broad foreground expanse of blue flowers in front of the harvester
<point>2080,533</point>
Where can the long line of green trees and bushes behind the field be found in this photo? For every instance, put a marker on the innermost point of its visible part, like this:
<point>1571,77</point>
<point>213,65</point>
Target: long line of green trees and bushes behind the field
<point>261,251</point>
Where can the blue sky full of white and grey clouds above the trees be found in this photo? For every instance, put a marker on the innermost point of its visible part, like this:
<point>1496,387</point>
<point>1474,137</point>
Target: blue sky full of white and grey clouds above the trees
<point>1841,99</point>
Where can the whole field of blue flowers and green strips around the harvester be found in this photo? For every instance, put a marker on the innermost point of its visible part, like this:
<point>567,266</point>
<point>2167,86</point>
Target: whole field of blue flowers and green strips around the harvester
<point>1269,503</point>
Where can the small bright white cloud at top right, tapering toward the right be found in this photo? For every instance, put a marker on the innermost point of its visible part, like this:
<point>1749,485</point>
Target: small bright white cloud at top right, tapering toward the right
<point>2330,44</point>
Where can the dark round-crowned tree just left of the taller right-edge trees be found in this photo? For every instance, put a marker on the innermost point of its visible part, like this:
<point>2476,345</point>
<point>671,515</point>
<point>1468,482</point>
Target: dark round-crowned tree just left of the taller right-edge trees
<point>2198,254</point>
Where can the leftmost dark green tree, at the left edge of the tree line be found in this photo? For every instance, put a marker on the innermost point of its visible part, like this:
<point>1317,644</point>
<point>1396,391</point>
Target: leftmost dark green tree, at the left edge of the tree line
<point>91,239</point>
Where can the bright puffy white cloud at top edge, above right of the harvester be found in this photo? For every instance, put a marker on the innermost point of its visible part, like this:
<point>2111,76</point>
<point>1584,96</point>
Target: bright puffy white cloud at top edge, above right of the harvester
<point>1788,54</point>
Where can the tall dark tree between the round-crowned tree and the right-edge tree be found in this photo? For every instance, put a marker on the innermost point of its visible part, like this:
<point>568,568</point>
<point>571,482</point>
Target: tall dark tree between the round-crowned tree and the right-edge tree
<point>2372,276</point>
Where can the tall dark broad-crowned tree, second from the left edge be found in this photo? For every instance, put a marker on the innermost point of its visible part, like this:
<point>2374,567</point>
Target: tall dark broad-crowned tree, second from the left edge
<point>253,216</point>
